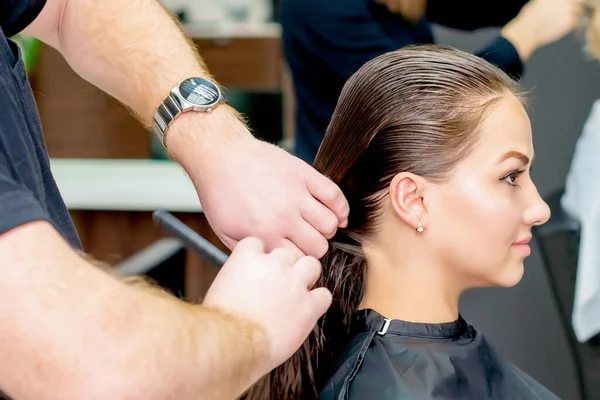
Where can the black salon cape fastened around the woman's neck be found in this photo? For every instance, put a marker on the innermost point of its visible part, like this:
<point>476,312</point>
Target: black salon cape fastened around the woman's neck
<point>416,361</point>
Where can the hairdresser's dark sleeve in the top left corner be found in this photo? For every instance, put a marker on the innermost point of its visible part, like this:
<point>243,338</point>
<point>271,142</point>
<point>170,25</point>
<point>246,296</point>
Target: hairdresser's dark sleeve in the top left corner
<point>16,15</point>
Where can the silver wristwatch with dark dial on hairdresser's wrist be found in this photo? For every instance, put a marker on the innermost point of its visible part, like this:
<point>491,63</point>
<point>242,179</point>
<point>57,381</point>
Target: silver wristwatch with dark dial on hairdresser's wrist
<point>191,94</point>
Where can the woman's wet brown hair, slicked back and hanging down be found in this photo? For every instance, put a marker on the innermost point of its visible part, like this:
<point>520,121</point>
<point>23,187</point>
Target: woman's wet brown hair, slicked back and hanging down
<point>418,109</point>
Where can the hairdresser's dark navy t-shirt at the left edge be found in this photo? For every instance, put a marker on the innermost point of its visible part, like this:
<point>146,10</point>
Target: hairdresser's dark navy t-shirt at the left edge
<point>28,191</point>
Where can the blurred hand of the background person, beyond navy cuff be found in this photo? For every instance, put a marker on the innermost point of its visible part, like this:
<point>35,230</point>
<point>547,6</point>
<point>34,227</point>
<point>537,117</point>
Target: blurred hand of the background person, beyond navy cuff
<point>540,23</point>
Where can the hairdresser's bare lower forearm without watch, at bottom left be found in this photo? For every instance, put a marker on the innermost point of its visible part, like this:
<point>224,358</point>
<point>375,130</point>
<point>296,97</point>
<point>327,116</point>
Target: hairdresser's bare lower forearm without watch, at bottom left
<point>69,330</point>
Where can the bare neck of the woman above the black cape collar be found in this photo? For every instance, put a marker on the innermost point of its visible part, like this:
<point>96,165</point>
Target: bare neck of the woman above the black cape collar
<point>409,289</point>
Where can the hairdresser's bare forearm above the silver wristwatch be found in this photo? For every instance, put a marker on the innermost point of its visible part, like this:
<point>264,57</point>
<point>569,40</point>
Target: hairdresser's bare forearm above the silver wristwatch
<point>132,49</point>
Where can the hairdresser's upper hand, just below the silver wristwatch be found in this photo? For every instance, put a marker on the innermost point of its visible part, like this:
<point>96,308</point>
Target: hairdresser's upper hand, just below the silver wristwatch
<point>251,188</point>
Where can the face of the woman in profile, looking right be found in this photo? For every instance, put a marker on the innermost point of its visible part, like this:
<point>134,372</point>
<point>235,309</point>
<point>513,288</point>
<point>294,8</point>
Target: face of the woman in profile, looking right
<point>480,221</point>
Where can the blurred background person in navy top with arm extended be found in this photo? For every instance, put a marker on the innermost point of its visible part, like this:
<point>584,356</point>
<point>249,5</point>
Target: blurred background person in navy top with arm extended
<point>326,42</point>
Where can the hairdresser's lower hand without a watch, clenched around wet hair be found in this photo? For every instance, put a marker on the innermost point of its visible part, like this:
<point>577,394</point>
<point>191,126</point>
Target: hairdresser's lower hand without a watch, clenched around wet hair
<point>273,290</point>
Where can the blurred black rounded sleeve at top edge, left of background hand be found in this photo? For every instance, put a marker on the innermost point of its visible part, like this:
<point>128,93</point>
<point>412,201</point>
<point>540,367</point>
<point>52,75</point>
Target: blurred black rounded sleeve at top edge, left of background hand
<point>473,14</point>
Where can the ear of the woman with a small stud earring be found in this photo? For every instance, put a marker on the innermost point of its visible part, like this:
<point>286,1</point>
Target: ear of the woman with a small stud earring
<point>406,195</point>
